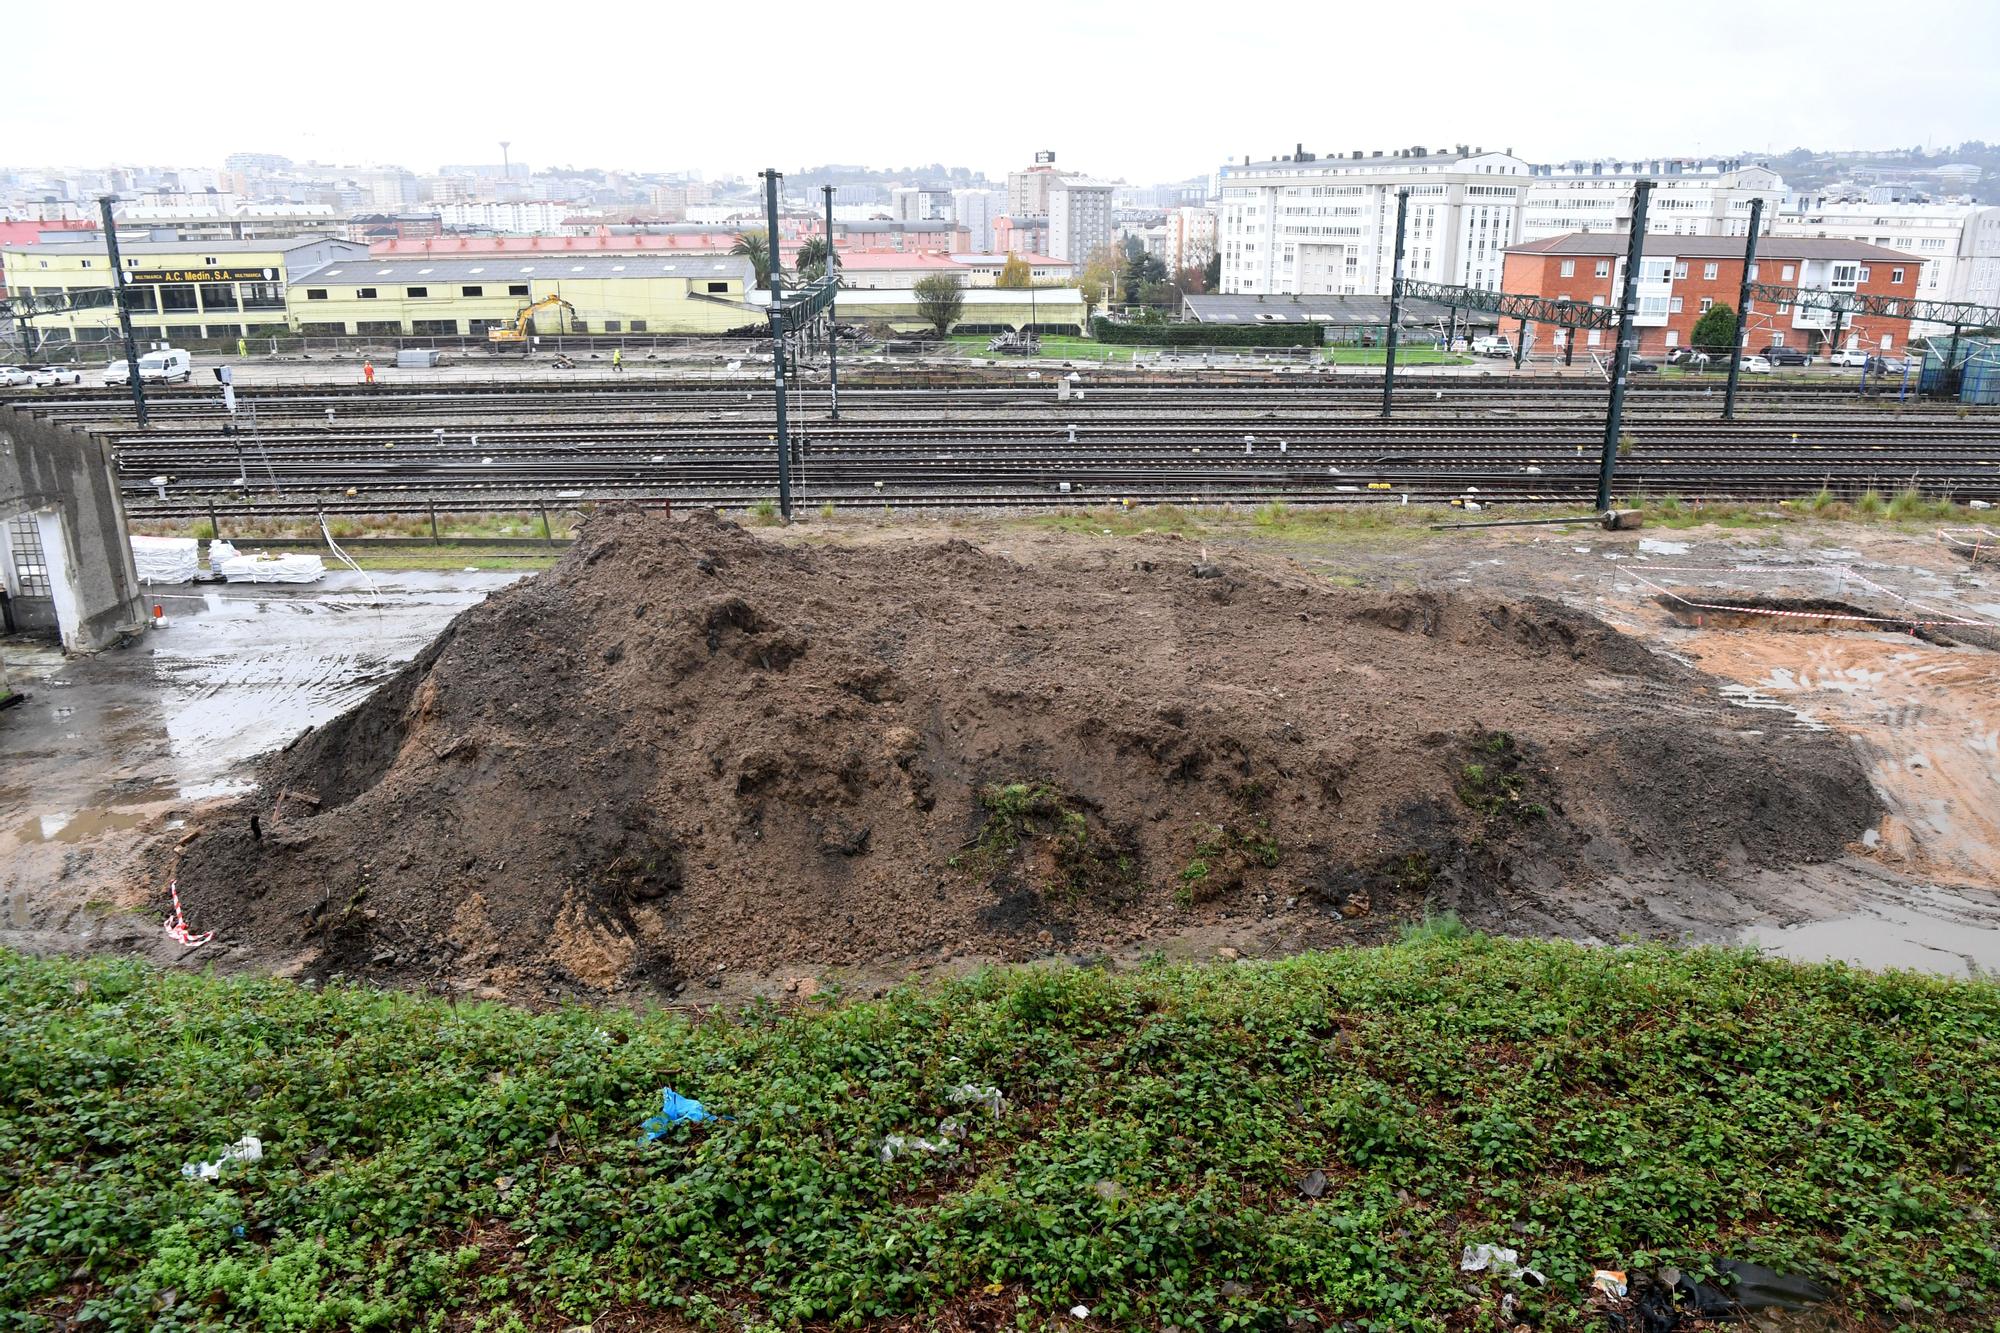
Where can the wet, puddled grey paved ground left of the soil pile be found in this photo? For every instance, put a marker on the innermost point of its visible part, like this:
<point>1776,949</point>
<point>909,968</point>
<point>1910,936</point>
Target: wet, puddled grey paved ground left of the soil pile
<point>111,748</point>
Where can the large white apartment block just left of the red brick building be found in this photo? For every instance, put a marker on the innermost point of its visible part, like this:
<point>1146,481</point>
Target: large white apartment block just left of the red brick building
<point>1315,225</point>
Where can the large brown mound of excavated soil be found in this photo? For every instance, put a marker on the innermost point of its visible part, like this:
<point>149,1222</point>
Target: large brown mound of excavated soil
<point>689,748</point>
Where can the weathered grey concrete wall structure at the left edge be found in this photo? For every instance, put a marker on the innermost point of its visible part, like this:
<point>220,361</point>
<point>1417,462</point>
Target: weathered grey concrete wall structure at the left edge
<point>71,483</point>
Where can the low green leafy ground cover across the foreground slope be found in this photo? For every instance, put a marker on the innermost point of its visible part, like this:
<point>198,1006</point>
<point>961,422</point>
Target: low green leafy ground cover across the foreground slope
<point>437,1166</point>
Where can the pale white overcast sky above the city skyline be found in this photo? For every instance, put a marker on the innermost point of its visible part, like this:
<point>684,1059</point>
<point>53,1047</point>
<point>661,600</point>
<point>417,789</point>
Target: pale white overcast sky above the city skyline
<point>1145,91</point>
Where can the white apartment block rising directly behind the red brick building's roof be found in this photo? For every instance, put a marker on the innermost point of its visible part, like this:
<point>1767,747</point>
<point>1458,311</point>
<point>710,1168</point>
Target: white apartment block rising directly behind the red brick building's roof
<point>1693,197</point>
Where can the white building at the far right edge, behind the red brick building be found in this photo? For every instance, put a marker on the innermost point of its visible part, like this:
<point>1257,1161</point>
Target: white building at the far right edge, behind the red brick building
<point>1957,241</point>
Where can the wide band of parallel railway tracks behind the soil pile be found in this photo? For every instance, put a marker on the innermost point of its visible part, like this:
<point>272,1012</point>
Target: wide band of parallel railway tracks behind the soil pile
<point>1013,443</point>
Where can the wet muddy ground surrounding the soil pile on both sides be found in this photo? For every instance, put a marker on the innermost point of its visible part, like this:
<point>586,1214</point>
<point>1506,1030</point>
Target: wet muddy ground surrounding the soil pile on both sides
<point>109,752</point>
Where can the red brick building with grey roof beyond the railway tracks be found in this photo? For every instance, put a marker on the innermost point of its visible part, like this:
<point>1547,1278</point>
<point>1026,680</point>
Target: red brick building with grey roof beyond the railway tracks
<point>1681,277</point>
